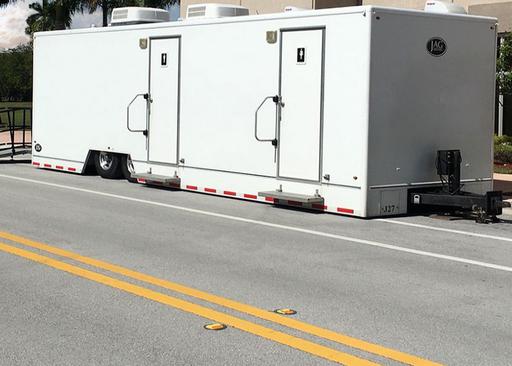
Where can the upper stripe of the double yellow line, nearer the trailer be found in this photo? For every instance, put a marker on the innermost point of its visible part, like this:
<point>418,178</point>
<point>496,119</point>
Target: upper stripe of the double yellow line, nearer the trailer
<point>231,304</point>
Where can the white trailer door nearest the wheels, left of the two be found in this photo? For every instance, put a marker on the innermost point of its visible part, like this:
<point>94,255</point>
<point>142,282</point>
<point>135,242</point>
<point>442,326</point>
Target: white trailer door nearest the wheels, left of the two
<point>164,79</point>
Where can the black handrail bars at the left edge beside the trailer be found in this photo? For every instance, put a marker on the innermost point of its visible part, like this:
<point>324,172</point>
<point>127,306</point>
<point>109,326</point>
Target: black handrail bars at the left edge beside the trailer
<point>9,114</point>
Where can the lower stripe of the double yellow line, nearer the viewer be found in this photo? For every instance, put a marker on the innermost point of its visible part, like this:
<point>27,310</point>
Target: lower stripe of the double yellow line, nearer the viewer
<point>268,333</point>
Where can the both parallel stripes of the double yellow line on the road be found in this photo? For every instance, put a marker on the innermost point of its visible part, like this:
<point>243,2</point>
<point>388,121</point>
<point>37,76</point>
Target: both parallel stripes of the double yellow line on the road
<point>190,307</point>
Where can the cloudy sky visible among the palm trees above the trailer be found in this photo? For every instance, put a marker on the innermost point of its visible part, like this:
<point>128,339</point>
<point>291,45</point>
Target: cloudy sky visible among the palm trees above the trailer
<point>13,16</point>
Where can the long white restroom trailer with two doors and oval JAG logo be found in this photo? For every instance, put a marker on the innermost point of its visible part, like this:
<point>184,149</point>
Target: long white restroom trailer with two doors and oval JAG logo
<point>341,110</point>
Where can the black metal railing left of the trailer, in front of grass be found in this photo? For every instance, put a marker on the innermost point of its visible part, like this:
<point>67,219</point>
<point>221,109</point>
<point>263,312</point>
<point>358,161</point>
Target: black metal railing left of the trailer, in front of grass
<point>12,120</point>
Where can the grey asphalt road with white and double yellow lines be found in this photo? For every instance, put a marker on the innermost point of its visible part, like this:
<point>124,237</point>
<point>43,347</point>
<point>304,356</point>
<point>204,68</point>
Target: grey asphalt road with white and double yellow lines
<point>436,291</point>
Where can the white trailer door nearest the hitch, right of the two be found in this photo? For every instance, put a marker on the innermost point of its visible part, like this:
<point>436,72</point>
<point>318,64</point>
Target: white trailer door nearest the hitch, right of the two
<point>301,89</point>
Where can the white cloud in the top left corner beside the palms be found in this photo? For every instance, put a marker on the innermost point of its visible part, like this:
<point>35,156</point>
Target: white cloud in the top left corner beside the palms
<point>13,23</point>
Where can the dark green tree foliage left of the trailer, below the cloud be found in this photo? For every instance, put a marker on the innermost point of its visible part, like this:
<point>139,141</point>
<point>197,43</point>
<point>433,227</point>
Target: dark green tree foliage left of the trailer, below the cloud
<point>16,74</point>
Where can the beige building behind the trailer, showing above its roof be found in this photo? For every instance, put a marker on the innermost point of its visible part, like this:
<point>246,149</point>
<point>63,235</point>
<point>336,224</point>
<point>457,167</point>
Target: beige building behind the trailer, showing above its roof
<point>500,9</point>
